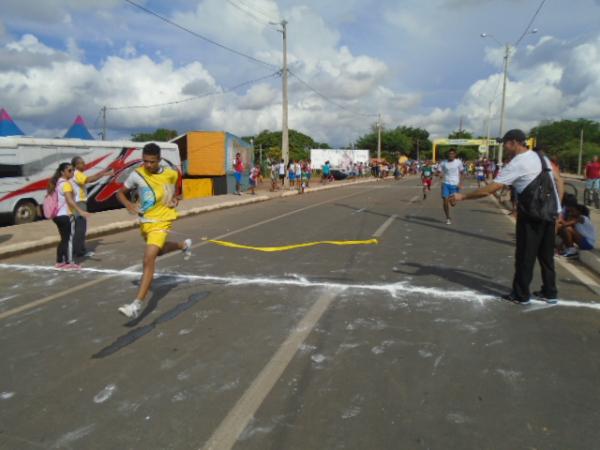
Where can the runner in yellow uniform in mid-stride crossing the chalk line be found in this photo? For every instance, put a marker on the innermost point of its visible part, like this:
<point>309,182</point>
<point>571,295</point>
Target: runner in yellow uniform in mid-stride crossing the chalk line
<point>156,186</point>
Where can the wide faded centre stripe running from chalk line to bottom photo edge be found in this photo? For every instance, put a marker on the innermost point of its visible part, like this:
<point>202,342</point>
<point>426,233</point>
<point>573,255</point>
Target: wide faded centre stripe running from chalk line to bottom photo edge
<point>232,426</point>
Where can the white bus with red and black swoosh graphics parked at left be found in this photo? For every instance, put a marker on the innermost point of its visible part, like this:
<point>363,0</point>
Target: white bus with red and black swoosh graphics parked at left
<point>27,164</point>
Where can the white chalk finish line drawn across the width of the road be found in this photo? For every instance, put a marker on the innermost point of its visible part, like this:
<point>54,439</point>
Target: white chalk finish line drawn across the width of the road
<point>396,290</point>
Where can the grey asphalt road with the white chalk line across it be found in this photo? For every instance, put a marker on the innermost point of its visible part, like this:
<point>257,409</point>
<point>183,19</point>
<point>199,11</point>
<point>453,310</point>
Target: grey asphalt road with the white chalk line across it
<point>400,345</point>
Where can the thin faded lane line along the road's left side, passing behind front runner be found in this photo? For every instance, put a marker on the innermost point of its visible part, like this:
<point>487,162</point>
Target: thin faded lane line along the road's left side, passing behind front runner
<point>44,300</point>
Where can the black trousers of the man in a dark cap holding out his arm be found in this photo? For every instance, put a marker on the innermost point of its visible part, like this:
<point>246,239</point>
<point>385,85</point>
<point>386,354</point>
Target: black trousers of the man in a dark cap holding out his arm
<point>535,240</point>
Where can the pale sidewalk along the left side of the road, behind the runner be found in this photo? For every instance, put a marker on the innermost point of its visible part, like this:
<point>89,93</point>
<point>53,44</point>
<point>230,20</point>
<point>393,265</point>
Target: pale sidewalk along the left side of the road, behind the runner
<point>18,239</point>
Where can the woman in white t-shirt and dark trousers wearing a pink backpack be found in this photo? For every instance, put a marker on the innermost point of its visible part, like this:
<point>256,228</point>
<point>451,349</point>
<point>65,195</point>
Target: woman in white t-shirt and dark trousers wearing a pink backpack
<point>64,220</point>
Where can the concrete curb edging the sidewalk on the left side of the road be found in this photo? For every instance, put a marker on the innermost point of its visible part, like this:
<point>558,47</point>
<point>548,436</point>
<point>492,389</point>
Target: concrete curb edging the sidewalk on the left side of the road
<point>116,227</point>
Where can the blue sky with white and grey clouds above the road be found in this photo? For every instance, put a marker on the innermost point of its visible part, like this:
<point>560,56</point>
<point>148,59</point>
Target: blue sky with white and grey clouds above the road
<point>420,63</point>
